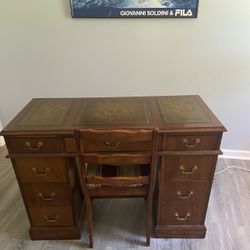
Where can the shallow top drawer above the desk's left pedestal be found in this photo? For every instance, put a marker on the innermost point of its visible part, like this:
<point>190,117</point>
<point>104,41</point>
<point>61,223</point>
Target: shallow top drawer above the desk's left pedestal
<point>35,145</point>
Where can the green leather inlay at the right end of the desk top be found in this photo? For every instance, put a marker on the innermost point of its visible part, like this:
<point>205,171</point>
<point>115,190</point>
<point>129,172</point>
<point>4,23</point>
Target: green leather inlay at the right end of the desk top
<point>183,109</point>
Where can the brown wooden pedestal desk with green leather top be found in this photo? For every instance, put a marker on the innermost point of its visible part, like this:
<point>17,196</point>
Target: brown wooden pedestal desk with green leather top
<point>42,149</point>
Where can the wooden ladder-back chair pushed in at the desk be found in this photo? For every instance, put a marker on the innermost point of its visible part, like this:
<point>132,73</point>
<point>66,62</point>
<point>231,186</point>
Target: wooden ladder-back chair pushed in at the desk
<point>117,163</point>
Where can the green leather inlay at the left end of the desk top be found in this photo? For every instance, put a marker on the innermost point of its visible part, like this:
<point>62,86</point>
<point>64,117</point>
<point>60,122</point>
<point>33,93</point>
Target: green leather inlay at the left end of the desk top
<point>47,113</point>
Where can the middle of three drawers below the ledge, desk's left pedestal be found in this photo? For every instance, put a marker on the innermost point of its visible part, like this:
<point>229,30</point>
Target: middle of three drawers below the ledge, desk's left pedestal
<point>47,194</point>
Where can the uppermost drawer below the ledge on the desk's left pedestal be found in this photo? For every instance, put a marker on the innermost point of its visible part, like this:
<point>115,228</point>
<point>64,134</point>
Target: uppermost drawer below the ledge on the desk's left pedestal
<point>39,169</point>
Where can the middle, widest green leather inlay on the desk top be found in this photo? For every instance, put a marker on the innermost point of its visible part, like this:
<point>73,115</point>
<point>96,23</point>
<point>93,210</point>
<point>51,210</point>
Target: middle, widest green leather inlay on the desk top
<point>113,111</point>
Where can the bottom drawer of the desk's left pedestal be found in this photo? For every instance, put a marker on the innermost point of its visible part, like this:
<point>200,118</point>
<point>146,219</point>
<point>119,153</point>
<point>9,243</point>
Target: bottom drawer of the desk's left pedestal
<point>51,216</point>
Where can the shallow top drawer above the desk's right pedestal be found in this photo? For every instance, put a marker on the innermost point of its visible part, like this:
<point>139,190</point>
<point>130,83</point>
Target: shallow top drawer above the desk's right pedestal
<point>190,142</point>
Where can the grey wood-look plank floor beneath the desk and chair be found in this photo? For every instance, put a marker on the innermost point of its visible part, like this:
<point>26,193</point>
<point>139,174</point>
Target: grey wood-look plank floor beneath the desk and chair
<point>120,224</point>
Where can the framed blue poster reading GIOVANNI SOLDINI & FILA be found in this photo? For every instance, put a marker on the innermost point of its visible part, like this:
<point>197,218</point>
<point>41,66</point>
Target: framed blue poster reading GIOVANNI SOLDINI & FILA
<point>134,8</point>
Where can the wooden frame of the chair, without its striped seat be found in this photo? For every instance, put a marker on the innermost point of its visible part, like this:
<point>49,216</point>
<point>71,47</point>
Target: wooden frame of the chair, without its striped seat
<point>126,184</point>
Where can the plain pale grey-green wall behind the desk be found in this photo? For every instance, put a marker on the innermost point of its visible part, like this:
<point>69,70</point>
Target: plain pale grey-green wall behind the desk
<point>46,53</point>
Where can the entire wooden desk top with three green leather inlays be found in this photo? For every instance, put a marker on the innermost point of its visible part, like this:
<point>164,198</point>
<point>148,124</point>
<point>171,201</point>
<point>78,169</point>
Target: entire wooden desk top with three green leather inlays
<point>63,115</point>
